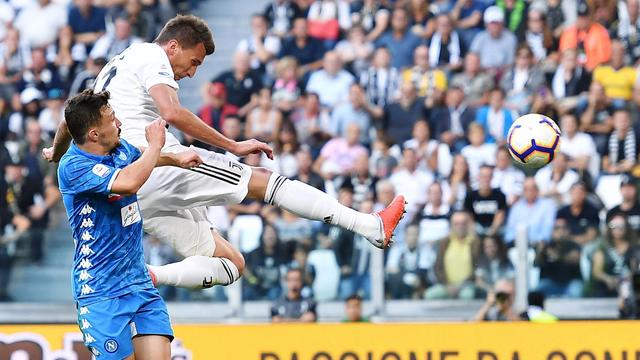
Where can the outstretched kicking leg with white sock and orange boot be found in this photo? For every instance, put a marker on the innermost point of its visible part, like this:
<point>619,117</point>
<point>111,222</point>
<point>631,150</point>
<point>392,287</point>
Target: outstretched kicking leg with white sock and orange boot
<point>311,203</point>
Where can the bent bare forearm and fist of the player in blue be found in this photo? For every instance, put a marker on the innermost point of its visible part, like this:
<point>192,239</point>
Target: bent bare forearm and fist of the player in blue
<point>130,179</point>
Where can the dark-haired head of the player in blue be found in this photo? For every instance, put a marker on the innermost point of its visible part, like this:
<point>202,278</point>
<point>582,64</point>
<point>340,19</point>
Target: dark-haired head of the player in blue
<point>91,120</point>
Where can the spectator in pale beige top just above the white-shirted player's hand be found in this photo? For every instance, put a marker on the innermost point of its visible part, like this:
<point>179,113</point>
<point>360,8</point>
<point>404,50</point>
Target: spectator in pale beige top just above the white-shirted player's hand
<point>264,121</point>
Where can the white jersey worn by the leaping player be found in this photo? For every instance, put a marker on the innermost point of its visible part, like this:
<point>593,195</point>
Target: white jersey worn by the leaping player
<point>128,77</point>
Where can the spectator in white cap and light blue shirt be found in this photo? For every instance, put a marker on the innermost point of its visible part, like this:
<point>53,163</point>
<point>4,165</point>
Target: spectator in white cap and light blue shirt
<point>496,45</point>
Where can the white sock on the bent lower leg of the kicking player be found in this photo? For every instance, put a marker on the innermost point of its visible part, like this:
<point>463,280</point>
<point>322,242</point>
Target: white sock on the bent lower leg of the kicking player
<point>196,272</point>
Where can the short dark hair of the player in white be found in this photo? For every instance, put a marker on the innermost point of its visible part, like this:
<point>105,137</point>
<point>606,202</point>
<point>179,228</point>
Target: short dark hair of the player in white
<point>189,31</point>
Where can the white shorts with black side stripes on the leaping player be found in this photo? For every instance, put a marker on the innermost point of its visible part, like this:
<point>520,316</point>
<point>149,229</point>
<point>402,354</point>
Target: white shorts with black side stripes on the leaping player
<point>174,200</point>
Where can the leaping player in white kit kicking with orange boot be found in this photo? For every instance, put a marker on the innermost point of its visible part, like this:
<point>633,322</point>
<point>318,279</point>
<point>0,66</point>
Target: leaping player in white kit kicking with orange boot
<point>142,83</point>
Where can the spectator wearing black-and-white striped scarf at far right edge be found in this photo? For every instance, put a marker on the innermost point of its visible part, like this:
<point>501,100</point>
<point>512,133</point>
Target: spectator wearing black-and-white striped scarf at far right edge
<point>621,154</point>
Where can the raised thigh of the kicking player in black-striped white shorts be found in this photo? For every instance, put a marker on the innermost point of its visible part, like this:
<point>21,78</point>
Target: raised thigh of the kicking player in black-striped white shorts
<point>220,180</point>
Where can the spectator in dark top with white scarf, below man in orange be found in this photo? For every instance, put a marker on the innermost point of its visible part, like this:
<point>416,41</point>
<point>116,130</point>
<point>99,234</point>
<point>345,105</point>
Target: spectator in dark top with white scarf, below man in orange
<point>569,82</point>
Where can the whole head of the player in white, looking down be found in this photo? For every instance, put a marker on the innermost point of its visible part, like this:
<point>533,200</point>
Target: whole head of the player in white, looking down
<point>186,39</point>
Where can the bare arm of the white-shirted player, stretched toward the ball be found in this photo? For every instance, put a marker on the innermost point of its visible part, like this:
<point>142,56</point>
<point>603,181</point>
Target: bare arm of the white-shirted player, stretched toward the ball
<point>166,99</point>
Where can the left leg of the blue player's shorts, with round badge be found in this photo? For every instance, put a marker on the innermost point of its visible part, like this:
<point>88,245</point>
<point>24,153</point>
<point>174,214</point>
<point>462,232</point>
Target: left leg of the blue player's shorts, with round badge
<point>105,326</point>
